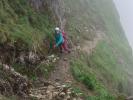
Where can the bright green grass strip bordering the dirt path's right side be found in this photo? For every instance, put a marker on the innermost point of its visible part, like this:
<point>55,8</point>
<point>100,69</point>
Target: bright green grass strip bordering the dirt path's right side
<point>85,75</point>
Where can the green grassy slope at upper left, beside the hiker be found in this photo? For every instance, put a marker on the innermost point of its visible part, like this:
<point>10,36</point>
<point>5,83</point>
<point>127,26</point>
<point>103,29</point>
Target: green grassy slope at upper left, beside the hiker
<point>20,21</point>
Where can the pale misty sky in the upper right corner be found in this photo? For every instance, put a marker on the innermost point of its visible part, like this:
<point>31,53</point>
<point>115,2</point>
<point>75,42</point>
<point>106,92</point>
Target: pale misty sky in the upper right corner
<point>125,8</point>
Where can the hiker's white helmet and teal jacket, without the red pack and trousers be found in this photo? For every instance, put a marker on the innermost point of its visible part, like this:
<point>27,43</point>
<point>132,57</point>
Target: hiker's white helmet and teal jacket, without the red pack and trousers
<point>58,38</point>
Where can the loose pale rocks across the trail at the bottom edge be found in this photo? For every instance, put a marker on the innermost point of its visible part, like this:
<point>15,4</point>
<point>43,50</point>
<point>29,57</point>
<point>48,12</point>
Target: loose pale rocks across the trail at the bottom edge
<point>54,92</point>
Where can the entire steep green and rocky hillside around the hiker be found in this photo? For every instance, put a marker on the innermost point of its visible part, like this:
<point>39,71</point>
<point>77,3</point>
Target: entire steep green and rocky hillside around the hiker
<point>99,66</point>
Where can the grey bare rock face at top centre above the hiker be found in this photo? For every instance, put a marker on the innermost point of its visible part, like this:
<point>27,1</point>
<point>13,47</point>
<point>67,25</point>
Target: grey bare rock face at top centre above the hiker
<point>55,5</point>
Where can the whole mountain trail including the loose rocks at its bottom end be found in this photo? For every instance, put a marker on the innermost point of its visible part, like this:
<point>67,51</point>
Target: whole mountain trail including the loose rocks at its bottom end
<point>62,75</point>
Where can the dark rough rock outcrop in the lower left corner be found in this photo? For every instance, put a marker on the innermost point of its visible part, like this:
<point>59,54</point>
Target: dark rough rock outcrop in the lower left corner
<point>15,82</point>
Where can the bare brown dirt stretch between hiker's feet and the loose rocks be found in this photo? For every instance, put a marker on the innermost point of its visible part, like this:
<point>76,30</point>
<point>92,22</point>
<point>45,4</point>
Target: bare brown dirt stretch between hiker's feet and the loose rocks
<point>61,72</point>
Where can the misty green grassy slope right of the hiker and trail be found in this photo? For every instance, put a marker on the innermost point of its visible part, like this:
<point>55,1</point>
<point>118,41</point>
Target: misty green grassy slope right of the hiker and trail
<point>112,56</point>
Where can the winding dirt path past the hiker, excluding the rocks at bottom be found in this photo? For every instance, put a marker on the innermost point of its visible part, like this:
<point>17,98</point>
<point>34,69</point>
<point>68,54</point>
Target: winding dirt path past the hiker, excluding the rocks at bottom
<point>62,73</point>
